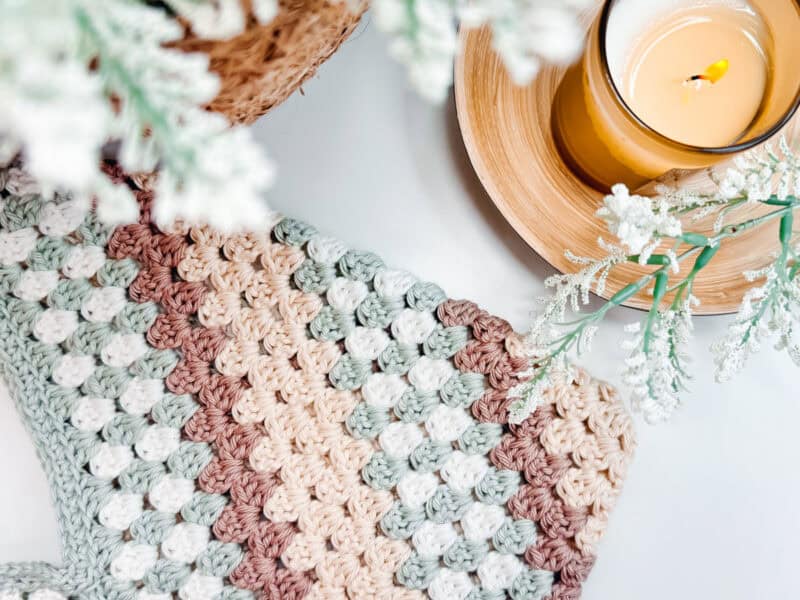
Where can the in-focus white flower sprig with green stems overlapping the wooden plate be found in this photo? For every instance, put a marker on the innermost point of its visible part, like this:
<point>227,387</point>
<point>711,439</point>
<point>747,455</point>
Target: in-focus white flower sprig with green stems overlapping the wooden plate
<point>650,233</point>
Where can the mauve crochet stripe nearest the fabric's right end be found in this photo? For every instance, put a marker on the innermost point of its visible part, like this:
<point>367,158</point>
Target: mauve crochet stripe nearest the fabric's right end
<point>522,450</point>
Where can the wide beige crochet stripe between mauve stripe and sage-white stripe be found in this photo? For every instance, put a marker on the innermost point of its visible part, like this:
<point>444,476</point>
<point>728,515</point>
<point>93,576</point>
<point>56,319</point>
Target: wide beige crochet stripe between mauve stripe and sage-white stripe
<point>320,491</point>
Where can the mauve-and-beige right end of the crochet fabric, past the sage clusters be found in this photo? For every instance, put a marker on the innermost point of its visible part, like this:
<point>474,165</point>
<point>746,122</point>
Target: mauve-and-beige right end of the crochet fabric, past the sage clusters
<point>573,450</point>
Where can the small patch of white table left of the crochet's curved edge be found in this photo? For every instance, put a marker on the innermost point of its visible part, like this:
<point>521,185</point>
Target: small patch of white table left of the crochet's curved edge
<point>27,517</point>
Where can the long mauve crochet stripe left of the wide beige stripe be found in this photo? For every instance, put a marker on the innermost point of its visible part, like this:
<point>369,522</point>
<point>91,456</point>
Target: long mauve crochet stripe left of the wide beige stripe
<point>242,520</point>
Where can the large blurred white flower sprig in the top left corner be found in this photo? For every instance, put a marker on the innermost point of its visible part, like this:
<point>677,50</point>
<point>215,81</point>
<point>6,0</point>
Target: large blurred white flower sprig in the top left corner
<point>78,74</point>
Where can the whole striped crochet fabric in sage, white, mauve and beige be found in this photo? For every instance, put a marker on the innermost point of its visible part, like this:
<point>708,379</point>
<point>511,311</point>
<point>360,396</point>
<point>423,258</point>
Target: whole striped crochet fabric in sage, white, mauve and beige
<point>272,415</point>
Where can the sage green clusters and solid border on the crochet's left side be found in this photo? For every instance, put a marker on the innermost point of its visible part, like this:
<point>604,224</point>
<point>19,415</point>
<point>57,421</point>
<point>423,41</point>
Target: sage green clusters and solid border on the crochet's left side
<point>65,451</point>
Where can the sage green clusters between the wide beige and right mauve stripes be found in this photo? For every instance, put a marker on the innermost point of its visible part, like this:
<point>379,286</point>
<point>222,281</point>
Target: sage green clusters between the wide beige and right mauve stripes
<point>415,406</point>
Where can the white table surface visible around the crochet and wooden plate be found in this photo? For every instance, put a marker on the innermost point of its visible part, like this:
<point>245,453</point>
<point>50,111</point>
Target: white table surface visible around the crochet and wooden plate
<point>707,508</point>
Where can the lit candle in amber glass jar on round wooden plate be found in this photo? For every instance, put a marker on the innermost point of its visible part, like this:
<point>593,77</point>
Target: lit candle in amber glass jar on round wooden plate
<point>677,84</point>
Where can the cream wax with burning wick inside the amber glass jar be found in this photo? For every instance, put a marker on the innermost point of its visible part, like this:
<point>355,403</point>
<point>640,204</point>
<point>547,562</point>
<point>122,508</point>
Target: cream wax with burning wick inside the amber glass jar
<point>658,85</point>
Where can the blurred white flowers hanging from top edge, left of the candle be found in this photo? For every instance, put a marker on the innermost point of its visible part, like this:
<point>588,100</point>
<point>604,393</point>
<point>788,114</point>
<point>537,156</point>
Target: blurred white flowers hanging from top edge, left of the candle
<point>526,34</point>
